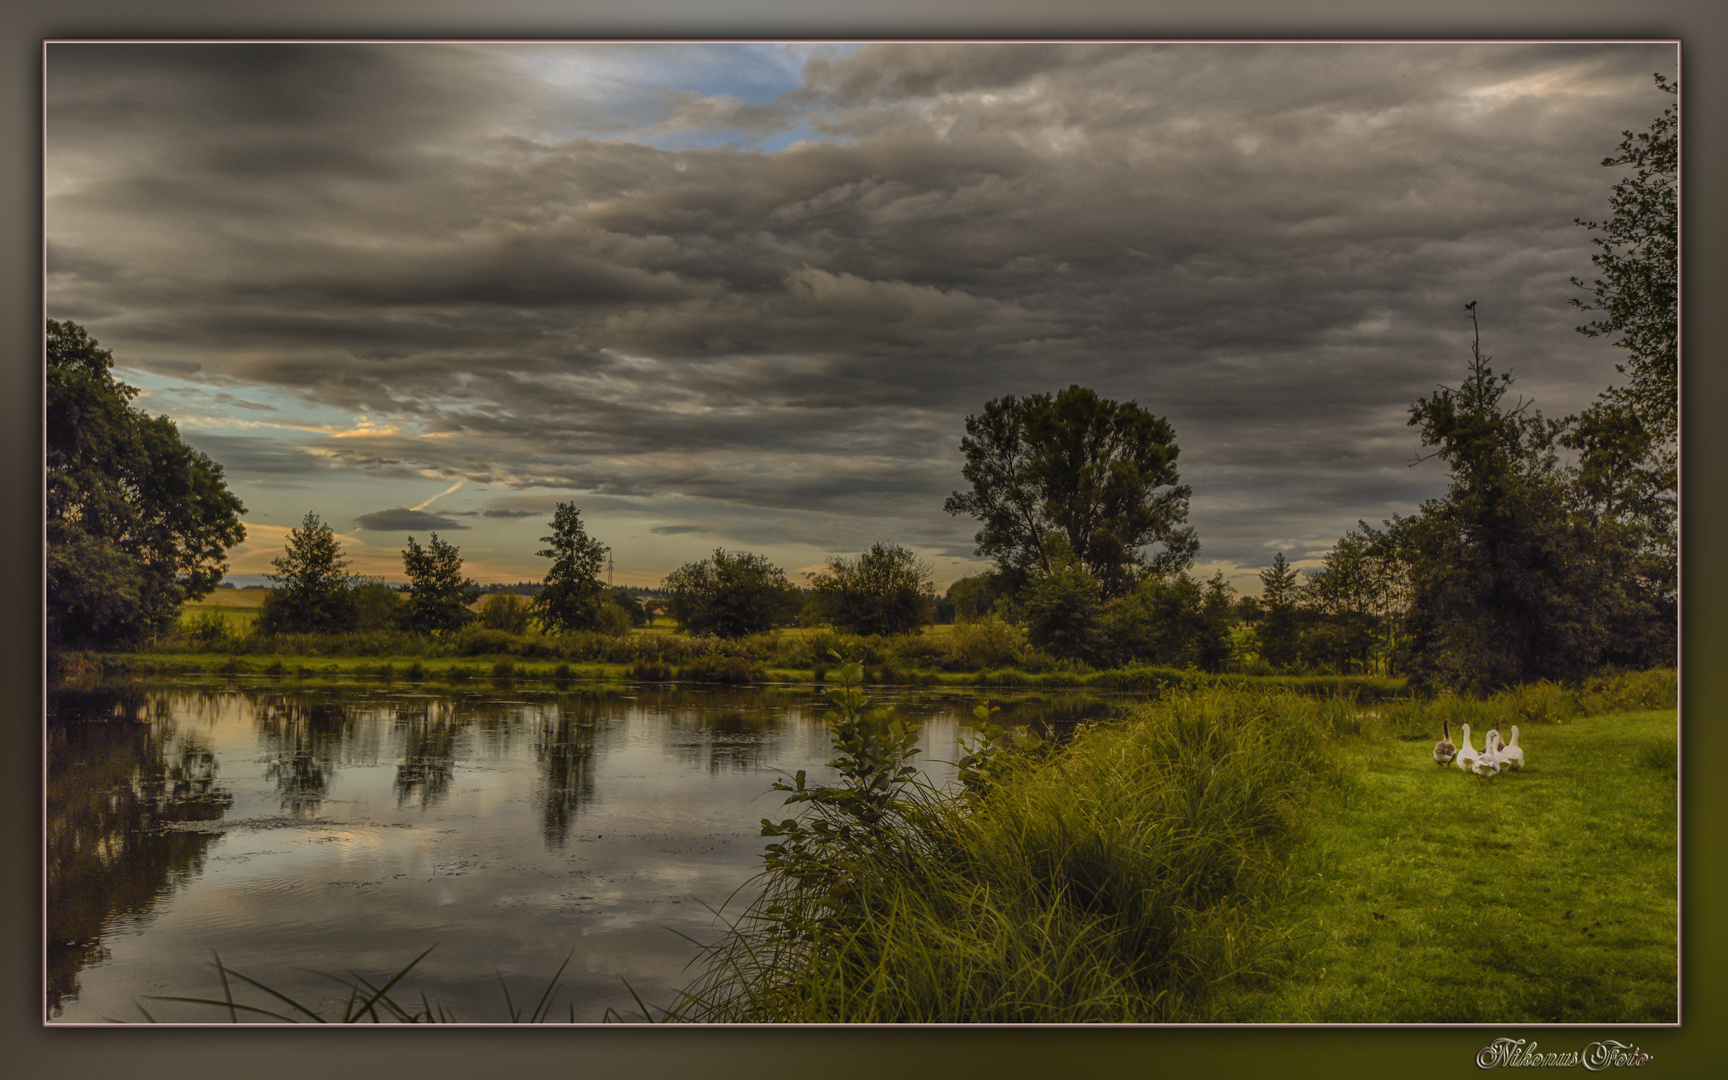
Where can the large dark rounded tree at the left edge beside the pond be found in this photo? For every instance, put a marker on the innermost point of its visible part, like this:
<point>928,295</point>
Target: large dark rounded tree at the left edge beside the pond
<point>137,521</point>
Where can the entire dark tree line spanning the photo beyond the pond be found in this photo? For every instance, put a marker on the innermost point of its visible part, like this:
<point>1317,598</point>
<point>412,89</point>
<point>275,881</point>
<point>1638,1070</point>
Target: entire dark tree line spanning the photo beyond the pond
<point>1553,550</point>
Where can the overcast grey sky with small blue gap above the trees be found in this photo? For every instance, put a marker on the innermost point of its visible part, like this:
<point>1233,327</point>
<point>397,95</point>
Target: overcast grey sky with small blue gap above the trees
<point>747,295</point>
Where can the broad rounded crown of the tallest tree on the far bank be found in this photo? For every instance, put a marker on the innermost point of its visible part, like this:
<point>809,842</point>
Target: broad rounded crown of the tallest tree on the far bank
<point>1095,474</point>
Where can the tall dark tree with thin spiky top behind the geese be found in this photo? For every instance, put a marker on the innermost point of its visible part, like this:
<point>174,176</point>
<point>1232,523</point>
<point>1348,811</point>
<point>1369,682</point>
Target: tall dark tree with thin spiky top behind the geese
<point>1509,580</point>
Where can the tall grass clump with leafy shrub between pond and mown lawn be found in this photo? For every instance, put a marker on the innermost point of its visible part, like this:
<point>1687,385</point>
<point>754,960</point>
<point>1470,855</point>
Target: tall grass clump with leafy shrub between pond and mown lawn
<point>1124,877</point>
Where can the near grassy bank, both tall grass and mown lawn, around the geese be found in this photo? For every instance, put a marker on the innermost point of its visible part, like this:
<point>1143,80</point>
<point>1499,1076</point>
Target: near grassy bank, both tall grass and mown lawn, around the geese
<point>1242,856</point>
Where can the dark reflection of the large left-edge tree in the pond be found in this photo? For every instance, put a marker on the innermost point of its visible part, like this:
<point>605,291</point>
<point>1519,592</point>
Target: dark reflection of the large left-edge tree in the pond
<point>120,778</point>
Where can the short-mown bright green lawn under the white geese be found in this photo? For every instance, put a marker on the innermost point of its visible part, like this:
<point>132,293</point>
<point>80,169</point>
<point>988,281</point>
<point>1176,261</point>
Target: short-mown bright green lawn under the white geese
<point>1546,896</point>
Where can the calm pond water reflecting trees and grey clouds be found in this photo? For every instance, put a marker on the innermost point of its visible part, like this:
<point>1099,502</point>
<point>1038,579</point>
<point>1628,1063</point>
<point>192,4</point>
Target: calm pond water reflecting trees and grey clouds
<point>303,834</point>
